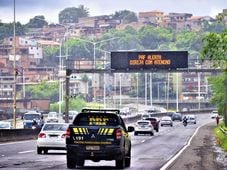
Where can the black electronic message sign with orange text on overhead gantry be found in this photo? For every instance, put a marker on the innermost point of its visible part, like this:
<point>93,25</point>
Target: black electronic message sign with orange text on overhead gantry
<point>144,60</point>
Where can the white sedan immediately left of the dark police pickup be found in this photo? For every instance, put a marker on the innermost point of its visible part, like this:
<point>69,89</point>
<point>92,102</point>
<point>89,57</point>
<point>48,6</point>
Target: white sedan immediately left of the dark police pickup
<point>52,137</point>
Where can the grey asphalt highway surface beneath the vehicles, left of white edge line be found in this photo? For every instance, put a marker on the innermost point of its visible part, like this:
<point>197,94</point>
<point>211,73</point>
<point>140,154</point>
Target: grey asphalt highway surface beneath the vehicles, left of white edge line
<point>148,152</point>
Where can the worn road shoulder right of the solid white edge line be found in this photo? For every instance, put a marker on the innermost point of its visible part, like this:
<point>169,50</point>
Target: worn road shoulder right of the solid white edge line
<point>202,152</point>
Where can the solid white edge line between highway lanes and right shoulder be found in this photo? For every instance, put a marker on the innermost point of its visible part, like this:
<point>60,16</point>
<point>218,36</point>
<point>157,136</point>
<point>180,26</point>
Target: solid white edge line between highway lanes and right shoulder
<point>165,166</point>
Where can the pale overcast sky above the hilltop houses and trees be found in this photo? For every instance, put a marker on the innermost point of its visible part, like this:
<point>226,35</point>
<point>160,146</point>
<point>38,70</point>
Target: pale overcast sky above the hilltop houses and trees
<point>27,9</point>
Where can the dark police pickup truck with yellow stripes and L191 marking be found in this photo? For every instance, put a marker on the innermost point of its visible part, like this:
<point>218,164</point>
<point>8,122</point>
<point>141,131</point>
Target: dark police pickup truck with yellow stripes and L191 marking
<point>98,135</point>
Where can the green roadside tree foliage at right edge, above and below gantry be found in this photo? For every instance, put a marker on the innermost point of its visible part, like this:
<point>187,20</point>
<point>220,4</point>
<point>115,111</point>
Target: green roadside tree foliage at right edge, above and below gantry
<point>215,49</point>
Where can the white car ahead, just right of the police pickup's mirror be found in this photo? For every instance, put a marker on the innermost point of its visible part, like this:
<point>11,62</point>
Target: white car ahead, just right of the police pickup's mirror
<point>144,127</point>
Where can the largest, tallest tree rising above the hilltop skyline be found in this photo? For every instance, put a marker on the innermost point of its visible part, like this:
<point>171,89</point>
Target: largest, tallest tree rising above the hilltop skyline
<point>72,15</point>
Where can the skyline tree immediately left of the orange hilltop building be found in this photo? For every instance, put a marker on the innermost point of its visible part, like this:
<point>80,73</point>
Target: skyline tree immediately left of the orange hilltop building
<point>125,16</point>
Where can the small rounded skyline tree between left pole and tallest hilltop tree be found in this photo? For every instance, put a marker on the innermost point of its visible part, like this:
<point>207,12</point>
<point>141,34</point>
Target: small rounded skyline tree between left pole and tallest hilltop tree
<point>37,22</point>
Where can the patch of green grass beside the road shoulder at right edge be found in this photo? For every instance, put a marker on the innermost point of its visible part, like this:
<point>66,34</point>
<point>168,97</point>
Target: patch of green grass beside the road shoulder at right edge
<point>221,138</point>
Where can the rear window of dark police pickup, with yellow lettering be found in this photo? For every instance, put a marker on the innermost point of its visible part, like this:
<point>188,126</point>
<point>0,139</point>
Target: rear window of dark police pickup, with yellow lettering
<point>96,119</point>
